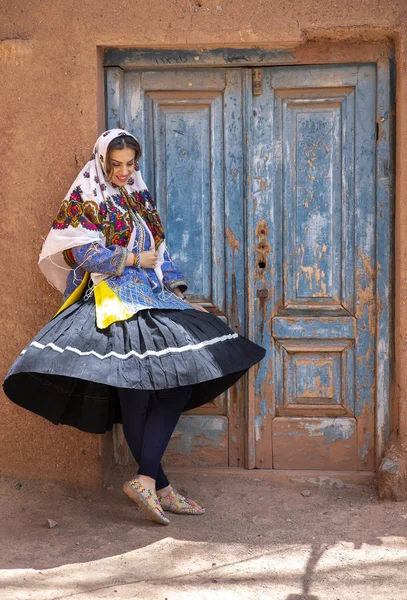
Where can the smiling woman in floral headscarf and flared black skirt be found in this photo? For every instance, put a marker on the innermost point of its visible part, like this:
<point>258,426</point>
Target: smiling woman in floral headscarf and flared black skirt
<point>126,346</point>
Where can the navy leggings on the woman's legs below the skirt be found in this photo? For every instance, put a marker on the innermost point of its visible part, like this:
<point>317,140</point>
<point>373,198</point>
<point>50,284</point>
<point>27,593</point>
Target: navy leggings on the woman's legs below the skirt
<point>148,424</point>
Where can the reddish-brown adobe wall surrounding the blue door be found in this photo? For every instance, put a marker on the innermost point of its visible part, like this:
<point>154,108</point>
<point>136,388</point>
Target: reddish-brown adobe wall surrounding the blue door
<point>51,101</point>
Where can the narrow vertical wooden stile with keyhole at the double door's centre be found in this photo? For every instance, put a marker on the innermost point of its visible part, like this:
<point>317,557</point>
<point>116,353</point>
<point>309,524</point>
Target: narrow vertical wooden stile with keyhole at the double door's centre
<point>263,218</point>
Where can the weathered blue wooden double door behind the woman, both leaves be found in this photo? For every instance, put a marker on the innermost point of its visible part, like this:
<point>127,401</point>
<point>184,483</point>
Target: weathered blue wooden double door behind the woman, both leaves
<point>266,182</point>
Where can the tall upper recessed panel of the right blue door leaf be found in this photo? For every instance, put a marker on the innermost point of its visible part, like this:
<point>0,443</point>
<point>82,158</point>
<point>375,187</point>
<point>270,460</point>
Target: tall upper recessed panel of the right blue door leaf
<point>318,147</point>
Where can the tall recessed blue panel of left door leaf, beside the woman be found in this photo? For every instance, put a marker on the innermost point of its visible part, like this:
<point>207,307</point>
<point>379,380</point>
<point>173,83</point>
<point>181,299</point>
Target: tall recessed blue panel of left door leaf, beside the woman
<point>182,140</point>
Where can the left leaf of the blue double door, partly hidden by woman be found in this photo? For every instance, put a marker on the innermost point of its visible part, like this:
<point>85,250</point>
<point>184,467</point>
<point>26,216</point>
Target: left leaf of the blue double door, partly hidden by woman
<point>190,125</point>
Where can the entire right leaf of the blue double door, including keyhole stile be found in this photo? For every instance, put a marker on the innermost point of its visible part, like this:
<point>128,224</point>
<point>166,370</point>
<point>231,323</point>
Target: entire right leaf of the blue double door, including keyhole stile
<point>313,299</point>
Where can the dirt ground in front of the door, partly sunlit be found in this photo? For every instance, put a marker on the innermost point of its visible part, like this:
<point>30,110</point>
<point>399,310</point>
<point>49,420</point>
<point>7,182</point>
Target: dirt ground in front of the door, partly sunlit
<point>257,540</point>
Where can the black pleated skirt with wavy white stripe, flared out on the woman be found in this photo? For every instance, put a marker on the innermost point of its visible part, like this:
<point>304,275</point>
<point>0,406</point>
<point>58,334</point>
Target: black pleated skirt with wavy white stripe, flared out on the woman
<point>69,373</point>
